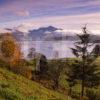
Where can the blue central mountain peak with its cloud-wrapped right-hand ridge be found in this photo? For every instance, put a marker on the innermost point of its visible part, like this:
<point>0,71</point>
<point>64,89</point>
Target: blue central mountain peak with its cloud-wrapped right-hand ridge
<point>51,33</point>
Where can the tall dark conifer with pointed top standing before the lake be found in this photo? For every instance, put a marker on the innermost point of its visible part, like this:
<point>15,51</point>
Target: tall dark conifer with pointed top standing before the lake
<point>85,70</point>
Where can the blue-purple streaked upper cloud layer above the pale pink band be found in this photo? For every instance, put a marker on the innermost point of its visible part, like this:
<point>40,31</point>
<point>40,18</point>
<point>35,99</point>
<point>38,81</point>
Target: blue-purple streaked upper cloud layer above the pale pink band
<point>38,8</point>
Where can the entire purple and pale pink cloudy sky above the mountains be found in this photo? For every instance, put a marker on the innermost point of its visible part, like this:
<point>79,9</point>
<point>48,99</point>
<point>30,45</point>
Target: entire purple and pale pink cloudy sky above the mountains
<point>66,14</point>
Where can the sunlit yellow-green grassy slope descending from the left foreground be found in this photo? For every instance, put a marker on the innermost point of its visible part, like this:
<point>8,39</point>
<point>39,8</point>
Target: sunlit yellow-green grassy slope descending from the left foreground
<point>16,87</point>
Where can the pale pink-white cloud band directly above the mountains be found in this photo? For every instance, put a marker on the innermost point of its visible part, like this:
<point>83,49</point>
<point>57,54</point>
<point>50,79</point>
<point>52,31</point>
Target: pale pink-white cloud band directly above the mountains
<point>70,23</point>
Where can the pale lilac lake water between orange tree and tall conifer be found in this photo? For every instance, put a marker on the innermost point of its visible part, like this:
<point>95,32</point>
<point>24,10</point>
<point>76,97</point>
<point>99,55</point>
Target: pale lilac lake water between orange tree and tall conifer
<point>50,49</point>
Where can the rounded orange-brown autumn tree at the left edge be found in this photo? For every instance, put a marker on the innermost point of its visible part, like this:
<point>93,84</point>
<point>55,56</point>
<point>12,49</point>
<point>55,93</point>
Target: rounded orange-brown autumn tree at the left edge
<point>9,50</point>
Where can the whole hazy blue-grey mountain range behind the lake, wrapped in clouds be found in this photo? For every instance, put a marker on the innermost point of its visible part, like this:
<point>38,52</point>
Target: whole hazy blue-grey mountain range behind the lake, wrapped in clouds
<point>49,33</point>
